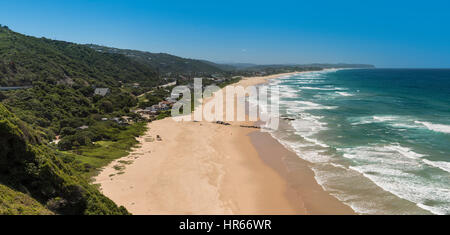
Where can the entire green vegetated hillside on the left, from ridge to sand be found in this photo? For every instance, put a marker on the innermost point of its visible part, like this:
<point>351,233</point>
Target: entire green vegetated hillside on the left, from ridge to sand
<point>35,177</point>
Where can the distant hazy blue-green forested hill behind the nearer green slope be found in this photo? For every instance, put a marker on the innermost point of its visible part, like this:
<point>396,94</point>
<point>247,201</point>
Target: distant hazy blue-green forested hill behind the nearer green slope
<point>163,62</point>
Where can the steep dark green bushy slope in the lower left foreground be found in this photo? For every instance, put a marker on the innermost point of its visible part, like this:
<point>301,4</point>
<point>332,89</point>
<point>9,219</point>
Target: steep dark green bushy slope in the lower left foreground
<point>29,167</point>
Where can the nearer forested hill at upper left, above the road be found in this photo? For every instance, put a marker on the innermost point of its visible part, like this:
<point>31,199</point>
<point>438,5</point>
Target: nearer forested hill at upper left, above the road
<point>25,59</point>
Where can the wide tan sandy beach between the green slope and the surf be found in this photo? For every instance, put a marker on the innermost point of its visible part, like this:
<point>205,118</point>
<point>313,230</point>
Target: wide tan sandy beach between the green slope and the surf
<point>206,168</point>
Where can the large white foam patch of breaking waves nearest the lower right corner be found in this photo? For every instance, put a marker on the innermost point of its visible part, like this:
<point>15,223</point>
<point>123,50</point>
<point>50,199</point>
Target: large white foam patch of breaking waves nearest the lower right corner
<point>392,168</point>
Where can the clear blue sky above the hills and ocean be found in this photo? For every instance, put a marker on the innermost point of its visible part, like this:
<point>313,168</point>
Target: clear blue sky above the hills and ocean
<point>391,33</point>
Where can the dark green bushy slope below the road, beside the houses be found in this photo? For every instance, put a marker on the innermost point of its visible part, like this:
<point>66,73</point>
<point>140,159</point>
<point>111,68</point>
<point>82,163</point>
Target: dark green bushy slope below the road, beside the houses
<point>61,109</point>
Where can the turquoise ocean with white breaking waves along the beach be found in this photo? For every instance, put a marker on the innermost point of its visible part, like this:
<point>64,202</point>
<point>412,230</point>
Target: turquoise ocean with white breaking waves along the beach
<point>376,139</point>
